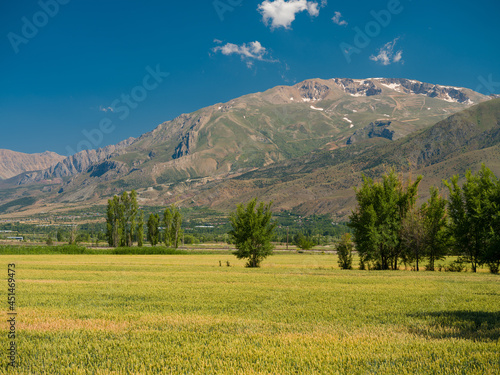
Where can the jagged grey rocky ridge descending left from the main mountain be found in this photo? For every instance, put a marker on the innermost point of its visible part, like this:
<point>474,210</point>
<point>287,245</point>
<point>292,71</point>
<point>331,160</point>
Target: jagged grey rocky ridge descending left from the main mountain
<point>78,163</point>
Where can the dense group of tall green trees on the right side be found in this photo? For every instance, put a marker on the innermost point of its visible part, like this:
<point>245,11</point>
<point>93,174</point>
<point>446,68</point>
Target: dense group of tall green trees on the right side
<point>389,228</point>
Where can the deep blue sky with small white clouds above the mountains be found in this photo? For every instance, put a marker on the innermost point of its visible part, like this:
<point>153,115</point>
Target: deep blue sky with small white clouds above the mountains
<point>76,74</point>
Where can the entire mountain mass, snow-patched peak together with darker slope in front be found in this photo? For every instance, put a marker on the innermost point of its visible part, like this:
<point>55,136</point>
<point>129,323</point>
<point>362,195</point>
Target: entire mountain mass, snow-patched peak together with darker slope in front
<point>303,146</point>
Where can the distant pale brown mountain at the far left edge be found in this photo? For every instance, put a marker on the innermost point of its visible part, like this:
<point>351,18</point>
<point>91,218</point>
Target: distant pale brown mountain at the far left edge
<point>13,163</point>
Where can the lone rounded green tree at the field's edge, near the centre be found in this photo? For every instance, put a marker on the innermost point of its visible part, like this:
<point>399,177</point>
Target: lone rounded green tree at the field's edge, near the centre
<point>252,232</point>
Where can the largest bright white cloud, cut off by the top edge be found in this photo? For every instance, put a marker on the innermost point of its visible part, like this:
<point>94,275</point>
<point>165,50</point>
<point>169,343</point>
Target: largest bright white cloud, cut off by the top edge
<point>282,13</point>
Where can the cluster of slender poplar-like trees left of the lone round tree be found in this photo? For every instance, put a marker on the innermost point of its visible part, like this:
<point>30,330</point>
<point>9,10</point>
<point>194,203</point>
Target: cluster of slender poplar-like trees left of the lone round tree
<point>125,223</point>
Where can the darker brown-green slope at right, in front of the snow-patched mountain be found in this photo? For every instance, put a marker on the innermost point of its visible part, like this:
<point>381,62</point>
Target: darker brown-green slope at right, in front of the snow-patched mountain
<point>322,182</point>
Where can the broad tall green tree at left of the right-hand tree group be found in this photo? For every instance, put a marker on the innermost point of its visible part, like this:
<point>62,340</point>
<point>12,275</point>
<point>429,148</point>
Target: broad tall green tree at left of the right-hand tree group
<point>378,218</point>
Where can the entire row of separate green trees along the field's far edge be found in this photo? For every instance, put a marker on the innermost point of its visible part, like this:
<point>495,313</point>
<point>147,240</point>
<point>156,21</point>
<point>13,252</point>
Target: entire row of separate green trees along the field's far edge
<point>389,228</point>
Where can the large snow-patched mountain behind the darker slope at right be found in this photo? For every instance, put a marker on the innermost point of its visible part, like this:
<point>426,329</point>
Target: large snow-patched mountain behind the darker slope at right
<point>220,146</point>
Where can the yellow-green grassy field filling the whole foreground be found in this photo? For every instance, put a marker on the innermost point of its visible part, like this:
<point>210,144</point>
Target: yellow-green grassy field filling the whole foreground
<point>179,314</point>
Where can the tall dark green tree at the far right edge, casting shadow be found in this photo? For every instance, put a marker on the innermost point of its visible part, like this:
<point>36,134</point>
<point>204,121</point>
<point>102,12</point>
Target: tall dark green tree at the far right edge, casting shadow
<point>472,210</point>
